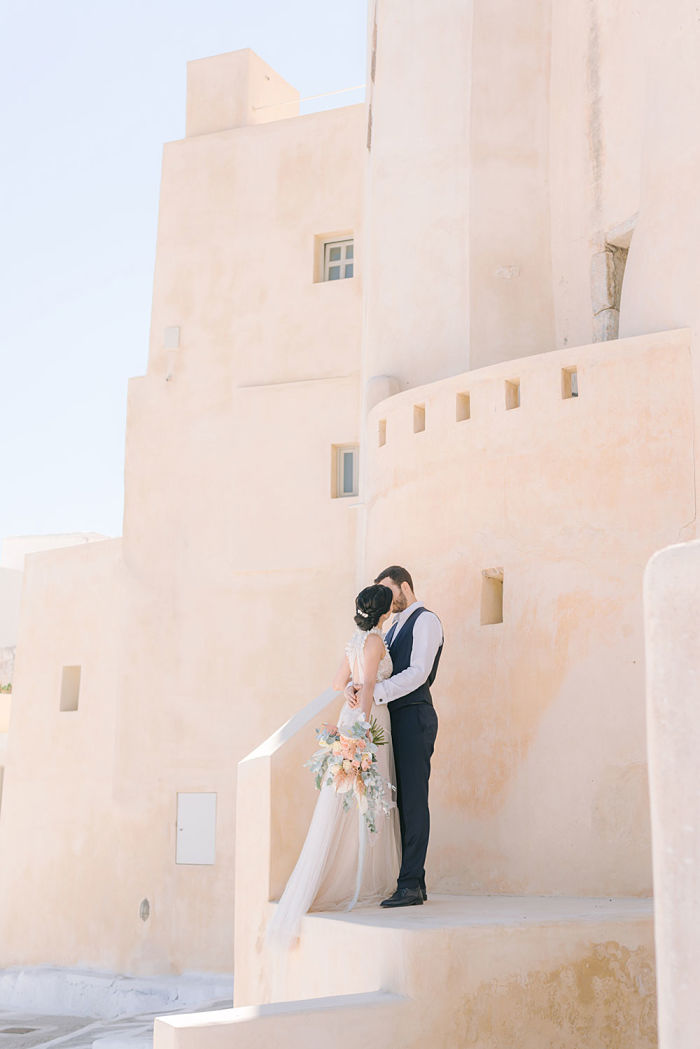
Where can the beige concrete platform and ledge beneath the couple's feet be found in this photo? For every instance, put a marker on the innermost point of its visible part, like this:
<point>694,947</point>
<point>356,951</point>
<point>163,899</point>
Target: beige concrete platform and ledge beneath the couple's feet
<point>479,972</point>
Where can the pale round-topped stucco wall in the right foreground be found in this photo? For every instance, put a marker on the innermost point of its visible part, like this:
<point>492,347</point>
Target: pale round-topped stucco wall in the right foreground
<point>672,606</point>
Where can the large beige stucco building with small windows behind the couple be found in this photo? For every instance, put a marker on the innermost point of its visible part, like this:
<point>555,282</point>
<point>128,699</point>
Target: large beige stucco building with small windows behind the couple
<point>497,387</point>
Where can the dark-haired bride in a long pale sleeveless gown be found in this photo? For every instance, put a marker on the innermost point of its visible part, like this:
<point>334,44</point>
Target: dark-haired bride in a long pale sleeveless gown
<point>342,862</point>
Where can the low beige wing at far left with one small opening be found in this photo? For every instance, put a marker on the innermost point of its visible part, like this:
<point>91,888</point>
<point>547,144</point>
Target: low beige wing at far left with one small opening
<point>59,829</point>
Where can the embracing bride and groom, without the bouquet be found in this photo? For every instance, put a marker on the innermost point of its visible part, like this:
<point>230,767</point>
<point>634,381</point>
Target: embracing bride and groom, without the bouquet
<point>387,680</point>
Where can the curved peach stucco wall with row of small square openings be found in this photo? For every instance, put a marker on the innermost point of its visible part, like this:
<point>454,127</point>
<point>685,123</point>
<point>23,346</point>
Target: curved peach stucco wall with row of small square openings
<point>540,782</point>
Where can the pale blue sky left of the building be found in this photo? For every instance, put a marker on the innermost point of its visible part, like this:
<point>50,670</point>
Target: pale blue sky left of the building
<point>91,91</point>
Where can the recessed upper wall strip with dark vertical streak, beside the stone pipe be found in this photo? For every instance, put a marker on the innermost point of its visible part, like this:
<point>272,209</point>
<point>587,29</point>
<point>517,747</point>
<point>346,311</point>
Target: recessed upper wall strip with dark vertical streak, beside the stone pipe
<point>599,98</point>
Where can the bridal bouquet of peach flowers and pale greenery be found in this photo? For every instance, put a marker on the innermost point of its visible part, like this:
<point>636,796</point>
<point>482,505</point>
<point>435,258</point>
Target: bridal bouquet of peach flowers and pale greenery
<point>348,762</point>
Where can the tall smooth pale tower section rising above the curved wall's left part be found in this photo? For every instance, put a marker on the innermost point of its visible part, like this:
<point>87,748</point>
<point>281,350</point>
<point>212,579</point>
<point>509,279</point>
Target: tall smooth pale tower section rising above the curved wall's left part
<point>457,254</point>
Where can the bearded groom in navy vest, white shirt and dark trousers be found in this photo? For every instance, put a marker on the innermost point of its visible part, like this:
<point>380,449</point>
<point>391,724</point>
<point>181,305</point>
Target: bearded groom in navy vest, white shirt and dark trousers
<point>415,643</point>
